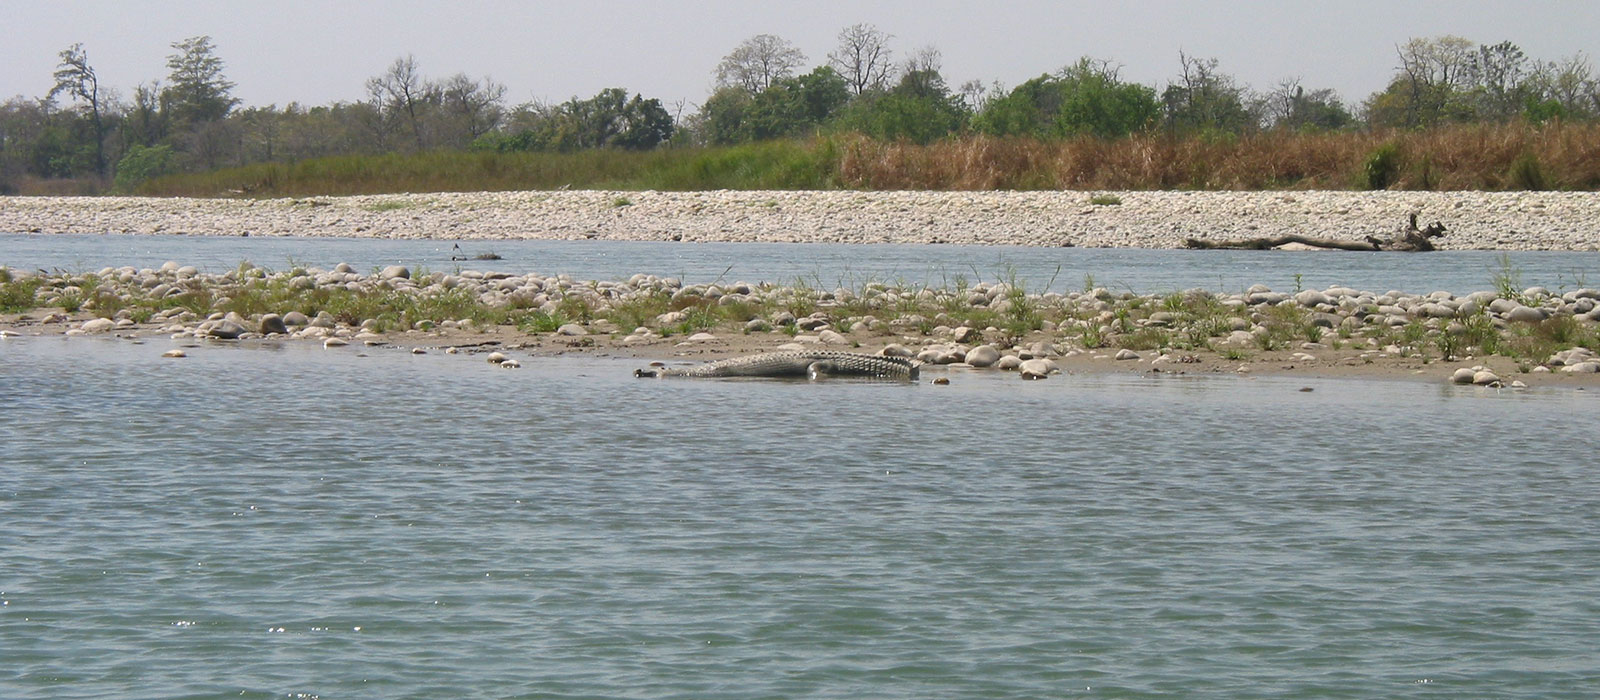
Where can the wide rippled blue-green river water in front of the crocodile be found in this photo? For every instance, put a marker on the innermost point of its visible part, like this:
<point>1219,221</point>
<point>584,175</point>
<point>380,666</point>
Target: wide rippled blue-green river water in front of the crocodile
<point>266,522</point>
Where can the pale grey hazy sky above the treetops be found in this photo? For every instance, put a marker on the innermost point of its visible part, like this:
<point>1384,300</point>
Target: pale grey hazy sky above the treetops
<point>281,52</point>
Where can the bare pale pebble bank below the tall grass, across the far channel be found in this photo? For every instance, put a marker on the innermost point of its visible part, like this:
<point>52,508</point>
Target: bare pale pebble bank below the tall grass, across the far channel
<point>1510,221</point>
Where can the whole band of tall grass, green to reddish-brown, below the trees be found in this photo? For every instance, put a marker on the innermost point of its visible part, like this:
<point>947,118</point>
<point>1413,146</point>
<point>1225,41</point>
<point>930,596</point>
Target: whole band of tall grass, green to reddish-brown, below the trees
<point>1468,157</point>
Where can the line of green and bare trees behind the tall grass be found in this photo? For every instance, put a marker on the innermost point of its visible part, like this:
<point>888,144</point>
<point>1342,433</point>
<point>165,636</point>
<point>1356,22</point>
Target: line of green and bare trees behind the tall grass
<point>90,138</point>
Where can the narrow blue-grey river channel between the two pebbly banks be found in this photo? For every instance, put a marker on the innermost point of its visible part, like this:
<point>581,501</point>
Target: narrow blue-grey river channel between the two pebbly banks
<point>830,266</point>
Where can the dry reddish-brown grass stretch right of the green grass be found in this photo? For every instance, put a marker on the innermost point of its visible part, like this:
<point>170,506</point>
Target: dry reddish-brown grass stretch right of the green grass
<point>1471,157</point>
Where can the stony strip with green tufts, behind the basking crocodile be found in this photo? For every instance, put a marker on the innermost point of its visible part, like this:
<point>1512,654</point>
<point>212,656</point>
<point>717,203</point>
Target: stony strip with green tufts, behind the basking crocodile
<point>1492,338</point>
